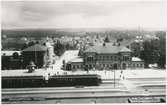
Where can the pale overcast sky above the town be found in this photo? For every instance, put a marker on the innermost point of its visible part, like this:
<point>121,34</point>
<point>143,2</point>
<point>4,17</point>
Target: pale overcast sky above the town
<point>80,14</point>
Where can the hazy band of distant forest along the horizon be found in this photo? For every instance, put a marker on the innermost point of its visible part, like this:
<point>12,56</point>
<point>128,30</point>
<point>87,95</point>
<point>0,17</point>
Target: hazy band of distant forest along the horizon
<point>38,33</point>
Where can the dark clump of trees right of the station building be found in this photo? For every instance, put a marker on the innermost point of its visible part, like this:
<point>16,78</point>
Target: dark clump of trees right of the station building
<point>152,51</point>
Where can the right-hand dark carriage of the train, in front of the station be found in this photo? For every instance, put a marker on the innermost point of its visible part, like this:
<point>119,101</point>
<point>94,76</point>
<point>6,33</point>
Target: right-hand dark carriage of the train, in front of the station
<point>74,80</point>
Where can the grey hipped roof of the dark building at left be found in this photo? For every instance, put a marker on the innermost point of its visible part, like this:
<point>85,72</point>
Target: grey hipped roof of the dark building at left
<point>36,47</point>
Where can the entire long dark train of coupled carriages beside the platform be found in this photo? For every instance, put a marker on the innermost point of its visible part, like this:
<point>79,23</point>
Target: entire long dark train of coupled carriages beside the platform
<point>52,81</point>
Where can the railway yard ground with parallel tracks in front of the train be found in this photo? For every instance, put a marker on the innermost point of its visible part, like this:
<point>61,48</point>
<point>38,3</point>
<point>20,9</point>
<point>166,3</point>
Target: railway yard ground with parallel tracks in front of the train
<point>105,93</point>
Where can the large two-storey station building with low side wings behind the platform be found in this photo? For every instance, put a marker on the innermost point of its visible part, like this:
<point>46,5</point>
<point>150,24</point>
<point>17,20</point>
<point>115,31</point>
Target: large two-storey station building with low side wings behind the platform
<point>105,56</point>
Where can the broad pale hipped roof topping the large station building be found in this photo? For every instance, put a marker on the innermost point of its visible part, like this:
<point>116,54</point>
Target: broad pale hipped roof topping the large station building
<point>100,49</point>
